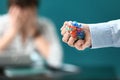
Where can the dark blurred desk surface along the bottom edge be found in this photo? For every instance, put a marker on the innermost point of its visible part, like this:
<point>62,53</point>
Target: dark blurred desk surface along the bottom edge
<point>87,73</point>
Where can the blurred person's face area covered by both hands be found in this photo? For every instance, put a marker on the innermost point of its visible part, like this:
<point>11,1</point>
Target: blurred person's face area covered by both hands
<point>23,19</point>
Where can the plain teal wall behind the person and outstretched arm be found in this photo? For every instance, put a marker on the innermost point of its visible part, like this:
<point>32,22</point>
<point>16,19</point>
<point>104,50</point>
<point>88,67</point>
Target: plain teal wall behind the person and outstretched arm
<point>93,63</point>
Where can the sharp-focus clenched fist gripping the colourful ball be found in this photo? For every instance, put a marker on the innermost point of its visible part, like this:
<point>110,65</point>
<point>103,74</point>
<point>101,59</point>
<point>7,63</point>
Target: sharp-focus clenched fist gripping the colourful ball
<point>74,42</point>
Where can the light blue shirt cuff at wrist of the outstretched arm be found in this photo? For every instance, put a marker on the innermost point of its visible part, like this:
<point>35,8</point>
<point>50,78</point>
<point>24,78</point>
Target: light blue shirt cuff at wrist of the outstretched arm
<point>101,35</point>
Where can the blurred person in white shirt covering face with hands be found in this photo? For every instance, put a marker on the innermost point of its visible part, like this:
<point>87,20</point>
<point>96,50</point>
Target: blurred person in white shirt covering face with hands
<point>22,31</point>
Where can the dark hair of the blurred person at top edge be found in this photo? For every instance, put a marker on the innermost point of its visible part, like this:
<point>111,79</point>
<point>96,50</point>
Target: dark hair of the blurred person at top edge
<point>24,3</point>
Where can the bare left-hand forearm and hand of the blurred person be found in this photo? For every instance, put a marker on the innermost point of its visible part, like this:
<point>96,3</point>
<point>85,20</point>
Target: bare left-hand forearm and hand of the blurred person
<point>13,30</point>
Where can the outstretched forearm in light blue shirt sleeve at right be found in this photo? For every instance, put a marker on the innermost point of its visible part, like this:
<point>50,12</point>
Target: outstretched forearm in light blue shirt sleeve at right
<point>104,35</point>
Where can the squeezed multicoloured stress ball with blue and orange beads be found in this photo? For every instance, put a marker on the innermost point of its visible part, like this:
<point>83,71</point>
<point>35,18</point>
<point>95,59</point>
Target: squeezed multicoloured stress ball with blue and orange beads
<point>75,29</point>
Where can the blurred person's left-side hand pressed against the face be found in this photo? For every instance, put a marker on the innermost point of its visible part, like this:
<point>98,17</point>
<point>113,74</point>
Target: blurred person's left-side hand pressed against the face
<point>17,18</point>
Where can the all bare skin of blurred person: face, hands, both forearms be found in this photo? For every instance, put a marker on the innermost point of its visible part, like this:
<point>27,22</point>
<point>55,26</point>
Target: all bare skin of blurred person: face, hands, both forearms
<point>23,21</point>
